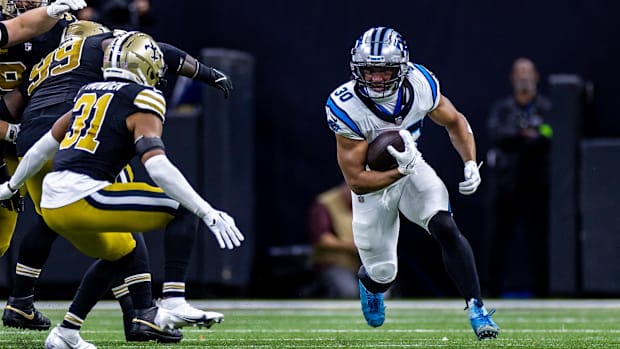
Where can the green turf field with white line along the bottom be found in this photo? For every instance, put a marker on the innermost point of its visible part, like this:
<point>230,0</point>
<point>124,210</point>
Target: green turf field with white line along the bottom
<point>583,324</point>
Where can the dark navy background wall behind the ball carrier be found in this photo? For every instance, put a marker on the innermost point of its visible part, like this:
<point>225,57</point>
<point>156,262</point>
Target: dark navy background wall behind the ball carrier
<point>302,53</point>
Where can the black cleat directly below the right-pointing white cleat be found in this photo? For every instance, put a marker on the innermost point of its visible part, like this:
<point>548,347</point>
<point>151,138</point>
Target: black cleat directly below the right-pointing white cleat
<point>144,328</point>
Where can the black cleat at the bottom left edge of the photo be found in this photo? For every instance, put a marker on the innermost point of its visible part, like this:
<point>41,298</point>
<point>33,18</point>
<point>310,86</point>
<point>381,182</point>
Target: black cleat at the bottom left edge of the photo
<point>21,313</point>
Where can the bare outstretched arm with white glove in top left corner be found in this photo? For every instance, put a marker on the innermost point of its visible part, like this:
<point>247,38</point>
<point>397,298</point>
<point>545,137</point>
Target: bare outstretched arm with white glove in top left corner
<point>36,21</point>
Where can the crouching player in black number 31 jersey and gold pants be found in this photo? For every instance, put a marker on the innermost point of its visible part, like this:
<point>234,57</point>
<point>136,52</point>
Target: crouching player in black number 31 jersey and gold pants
<point>110,123</point>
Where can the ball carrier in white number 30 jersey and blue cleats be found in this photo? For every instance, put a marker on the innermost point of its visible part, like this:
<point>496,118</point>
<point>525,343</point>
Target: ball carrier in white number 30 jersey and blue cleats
<point>389,92</point>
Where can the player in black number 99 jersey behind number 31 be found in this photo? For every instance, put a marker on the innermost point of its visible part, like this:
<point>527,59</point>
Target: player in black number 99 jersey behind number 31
<point>75,63</point>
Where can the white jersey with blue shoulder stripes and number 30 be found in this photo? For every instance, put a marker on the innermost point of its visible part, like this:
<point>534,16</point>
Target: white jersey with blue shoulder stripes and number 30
<point>348,116</point>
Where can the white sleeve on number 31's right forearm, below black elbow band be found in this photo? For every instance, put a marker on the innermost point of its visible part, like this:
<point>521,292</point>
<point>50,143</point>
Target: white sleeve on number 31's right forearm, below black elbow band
<point>171,180</point>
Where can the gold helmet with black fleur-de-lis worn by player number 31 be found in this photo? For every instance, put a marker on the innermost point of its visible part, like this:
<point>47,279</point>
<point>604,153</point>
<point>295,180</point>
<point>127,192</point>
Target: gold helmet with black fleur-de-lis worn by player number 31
<point>134,56</point>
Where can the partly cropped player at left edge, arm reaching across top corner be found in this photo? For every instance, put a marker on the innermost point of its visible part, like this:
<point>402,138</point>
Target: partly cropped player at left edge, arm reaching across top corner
<point>23,21</point>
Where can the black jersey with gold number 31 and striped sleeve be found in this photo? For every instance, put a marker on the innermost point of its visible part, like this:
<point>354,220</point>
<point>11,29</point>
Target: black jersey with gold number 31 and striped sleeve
<point>98,142</point>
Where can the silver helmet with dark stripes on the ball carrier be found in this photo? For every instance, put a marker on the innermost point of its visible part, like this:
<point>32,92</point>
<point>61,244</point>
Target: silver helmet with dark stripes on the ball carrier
<point>379,49</point>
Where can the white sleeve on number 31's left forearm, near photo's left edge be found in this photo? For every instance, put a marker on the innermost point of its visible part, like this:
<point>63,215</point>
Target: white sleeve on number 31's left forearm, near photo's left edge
<point>34,160</point>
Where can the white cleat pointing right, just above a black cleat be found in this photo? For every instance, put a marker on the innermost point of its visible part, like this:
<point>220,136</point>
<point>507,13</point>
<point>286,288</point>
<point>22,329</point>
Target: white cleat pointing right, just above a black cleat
<point>175,312</point>
